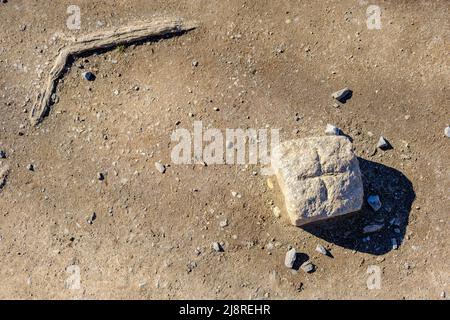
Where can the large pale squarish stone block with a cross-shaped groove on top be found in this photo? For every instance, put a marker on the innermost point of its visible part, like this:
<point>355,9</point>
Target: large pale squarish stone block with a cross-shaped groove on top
<point>319,178</point>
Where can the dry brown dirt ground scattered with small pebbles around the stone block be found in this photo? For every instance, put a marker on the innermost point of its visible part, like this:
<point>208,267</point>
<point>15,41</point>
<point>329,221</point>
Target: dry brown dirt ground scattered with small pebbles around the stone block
<point>260,64</point>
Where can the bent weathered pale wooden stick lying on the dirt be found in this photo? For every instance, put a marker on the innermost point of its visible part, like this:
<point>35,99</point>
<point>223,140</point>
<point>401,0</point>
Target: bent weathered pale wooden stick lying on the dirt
<point>101,41</point>
